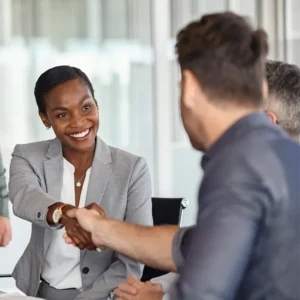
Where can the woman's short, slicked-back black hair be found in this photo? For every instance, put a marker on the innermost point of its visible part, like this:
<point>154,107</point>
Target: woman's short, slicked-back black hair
<point>54,77</point>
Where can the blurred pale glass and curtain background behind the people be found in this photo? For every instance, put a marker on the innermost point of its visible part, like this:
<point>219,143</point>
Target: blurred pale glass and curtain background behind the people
<point>126,47</point>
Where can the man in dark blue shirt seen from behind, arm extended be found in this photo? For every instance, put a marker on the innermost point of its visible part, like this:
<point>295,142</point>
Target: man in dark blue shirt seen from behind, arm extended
<point>246,243</point>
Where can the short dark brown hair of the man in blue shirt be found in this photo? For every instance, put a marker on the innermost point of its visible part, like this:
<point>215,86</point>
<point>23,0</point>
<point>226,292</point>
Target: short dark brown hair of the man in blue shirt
<point>226,55</point>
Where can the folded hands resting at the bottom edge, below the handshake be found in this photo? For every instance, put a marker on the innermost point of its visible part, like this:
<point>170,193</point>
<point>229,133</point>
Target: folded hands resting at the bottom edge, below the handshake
<point>134,289</point>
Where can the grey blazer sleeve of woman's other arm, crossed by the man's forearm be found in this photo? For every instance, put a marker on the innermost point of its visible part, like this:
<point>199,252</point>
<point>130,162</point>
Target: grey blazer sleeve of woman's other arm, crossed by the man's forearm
<point>139,211</point>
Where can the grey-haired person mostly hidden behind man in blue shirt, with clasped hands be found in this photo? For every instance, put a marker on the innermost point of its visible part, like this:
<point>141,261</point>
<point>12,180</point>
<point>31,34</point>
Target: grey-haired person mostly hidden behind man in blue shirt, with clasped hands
<point>283,108</point>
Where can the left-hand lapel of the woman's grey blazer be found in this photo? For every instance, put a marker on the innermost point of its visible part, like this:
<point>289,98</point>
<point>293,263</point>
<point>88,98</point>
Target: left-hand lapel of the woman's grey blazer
<point>53,168</point>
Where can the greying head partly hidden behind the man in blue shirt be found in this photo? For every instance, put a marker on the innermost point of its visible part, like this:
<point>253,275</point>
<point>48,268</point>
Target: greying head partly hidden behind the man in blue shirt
<point>284,95</point>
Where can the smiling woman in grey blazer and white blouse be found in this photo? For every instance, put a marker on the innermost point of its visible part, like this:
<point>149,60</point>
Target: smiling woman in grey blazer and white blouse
<point>75,169</point>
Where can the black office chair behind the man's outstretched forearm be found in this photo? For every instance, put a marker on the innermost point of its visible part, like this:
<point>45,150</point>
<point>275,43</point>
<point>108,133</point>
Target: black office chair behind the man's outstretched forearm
<point>165,211</point>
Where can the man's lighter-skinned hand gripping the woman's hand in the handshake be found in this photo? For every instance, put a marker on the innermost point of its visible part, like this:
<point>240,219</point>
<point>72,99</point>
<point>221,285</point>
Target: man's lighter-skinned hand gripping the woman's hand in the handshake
<point>86,218</point>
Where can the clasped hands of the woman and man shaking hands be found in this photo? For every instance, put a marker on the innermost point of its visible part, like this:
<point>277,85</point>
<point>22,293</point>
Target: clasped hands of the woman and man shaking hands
<point>80,223</point>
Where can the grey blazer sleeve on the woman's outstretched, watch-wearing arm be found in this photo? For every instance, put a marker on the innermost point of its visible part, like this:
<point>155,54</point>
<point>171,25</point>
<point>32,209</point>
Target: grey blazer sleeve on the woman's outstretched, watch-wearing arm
<point>29,201</point>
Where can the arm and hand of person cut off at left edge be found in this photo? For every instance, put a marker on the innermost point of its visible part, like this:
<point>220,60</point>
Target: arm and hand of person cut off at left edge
<point>5,227</point>
